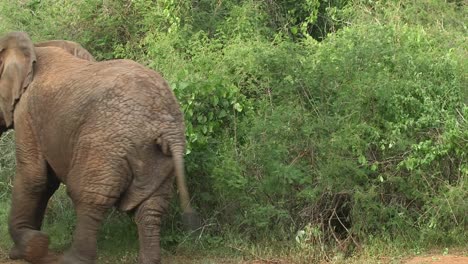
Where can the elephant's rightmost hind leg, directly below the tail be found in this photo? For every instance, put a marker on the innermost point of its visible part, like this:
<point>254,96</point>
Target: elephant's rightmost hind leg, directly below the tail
<point>148,219</point>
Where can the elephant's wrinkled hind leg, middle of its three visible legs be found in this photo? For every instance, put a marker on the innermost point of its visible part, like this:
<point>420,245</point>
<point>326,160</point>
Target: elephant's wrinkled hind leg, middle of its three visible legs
<point>94,188</point>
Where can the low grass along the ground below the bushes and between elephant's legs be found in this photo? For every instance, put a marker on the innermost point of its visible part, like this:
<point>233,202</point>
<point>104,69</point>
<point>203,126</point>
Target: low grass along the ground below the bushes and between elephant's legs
<point>118,243</point>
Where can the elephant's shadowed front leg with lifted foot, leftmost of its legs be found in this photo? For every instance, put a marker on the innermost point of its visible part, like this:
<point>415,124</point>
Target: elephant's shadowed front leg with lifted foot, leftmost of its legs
<point>31,192</point>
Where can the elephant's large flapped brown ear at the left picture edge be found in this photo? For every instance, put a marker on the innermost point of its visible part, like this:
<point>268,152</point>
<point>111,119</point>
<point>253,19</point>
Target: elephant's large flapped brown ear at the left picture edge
<point>17,57</point>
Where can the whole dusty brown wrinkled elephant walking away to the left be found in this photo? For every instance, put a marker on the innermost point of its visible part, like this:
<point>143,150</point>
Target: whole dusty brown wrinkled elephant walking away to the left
<point>111,131</point>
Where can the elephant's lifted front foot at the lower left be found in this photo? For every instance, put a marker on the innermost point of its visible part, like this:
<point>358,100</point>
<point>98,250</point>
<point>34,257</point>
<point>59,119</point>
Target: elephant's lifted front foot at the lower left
<point>33,247</point>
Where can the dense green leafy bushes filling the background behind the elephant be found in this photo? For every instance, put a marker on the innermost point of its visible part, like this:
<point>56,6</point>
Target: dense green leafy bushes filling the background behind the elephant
<point>323,125</point>
